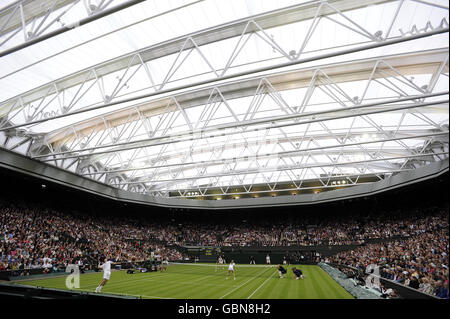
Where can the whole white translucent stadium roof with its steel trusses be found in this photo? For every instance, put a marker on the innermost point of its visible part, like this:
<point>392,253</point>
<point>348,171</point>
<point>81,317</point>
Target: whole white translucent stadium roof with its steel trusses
<point>214,99</point>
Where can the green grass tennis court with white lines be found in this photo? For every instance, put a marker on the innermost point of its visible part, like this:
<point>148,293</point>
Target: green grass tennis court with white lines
<point>207,282</point>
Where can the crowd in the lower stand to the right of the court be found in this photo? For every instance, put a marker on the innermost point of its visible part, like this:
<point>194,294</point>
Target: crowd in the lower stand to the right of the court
<point>419,262</point>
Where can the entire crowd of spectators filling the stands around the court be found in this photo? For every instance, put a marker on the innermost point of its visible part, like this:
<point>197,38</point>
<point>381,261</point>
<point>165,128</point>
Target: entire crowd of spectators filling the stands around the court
<point>409,249</point>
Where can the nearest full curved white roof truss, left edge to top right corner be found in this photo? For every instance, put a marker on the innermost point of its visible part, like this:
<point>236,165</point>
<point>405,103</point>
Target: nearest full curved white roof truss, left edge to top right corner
<point>135,73</point>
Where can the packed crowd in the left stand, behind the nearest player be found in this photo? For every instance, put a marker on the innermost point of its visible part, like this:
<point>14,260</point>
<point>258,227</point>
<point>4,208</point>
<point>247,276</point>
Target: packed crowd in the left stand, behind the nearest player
<point>36,238</point>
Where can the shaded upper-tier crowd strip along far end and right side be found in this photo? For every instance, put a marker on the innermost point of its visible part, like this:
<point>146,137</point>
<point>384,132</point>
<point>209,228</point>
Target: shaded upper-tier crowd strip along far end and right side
<point>307,231</point>
